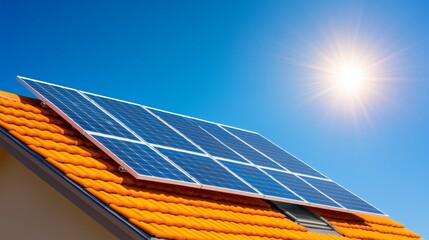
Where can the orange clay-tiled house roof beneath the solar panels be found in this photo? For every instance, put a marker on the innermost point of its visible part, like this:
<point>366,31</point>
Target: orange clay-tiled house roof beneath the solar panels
<point>163,210</point>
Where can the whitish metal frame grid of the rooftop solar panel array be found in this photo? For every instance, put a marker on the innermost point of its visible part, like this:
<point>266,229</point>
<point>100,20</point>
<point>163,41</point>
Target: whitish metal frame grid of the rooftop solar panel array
<point>91,136</point>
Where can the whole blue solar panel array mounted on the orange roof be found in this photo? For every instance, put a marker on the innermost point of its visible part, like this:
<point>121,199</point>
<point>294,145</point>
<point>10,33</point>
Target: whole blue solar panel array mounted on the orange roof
<point>156,145</point>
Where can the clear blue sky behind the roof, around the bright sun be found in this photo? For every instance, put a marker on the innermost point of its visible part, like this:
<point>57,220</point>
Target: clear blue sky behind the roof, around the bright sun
<point>251,64</point>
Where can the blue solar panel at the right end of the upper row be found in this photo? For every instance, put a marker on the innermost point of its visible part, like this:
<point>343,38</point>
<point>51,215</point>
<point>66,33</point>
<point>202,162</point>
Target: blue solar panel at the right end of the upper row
<point>274,152</point>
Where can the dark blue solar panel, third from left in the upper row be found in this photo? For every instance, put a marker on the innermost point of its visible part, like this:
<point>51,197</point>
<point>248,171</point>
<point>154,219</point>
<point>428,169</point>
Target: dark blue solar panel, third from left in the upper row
<point>198,136</point>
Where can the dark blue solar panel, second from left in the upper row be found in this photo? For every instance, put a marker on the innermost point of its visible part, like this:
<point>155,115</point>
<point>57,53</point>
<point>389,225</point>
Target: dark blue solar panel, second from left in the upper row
<point>147,126</point>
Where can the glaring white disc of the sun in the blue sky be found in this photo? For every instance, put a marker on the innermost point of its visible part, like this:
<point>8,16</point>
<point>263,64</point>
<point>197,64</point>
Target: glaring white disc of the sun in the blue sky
<point>349,79</point>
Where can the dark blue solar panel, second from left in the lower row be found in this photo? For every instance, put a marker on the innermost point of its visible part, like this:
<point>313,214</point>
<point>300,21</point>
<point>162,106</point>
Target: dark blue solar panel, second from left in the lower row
<point>206,170</point>
